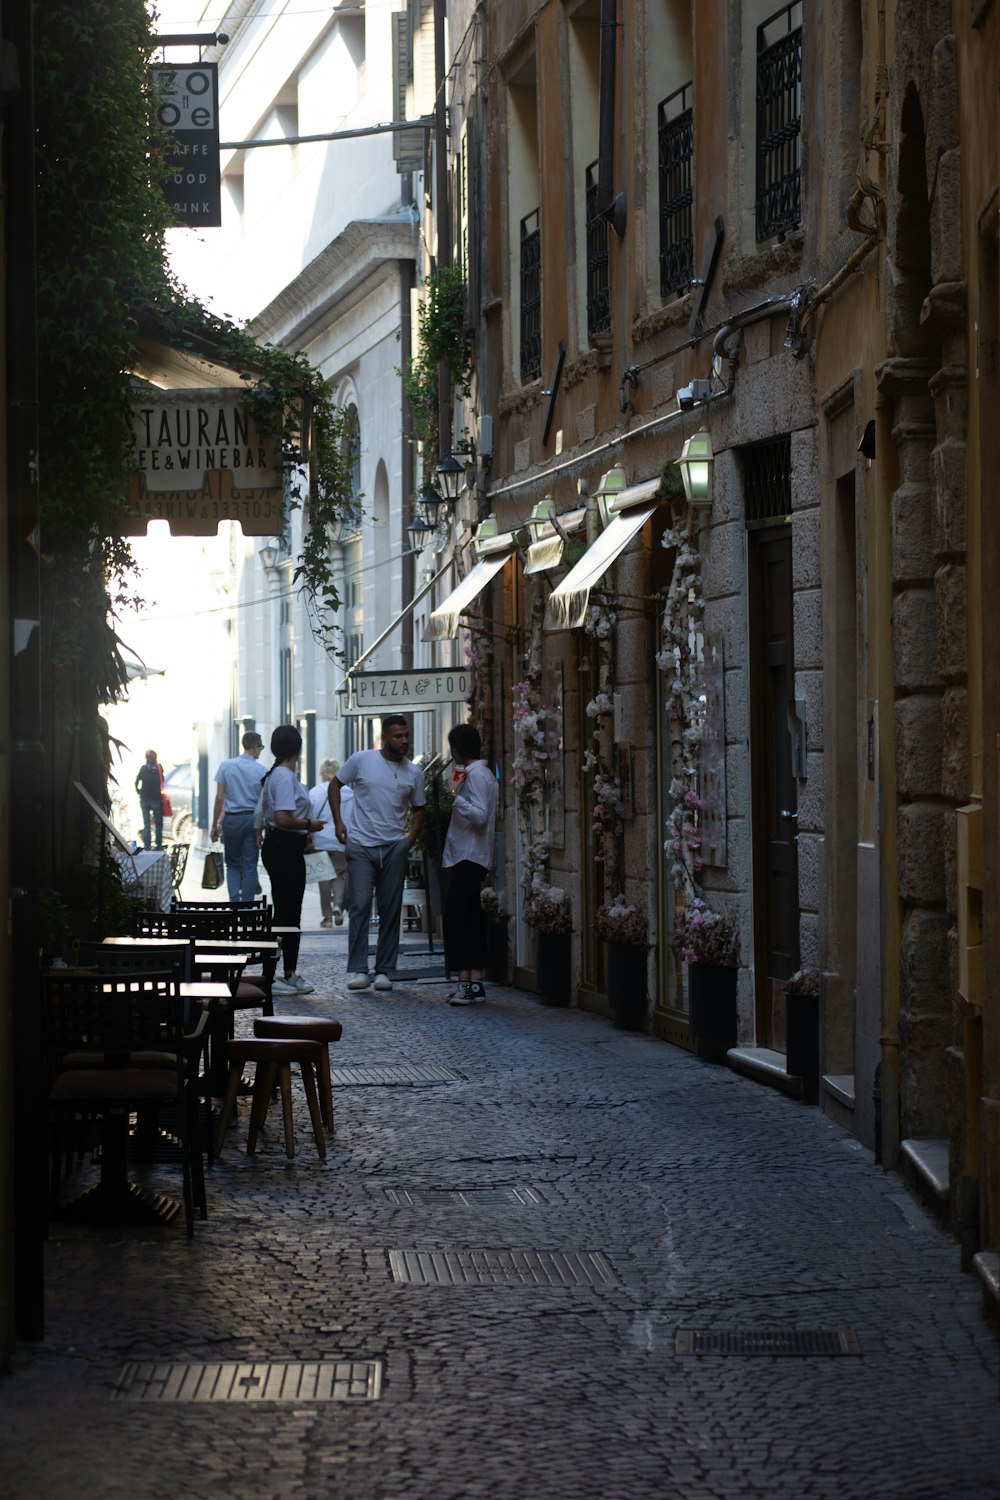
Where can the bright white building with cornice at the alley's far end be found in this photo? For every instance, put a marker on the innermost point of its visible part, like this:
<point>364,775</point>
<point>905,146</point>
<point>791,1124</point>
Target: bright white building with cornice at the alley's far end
<point>322,251</point>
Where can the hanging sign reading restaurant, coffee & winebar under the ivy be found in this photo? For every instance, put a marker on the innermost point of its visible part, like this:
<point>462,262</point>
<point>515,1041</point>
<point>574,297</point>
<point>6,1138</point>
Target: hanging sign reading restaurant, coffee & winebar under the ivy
<point>199,461</point>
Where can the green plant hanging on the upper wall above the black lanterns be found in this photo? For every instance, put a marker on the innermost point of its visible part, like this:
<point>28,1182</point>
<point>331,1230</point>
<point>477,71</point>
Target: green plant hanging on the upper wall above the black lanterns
<point>442,341</point>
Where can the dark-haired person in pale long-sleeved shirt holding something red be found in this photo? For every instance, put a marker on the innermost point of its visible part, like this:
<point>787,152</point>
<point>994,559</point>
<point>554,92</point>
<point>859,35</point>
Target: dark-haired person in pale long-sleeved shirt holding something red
<point>469,856</point>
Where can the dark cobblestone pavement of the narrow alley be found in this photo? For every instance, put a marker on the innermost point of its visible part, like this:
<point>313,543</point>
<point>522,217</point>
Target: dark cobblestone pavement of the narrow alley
<point>596,1193</point>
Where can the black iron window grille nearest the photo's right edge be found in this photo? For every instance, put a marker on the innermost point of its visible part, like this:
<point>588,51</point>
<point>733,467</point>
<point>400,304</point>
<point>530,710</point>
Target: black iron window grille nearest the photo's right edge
<point>780,122</point>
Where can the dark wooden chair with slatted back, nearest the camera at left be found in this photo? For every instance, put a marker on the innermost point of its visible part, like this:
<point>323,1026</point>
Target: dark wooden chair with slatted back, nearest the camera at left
<point>98,1027</point>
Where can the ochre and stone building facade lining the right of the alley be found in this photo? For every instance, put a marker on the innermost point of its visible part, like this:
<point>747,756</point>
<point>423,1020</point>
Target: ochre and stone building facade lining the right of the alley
<point>789,215</point>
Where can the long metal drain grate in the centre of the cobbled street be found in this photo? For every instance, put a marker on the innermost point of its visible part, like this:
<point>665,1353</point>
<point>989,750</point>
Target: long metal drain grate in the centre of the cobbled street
<point>484,1268</point>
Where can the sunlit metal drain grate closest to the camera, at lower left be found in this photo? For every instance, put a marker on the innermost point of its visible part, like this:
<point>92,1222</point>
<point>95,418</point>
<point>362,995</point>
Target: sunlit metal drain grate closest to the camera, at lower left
<point>290,1381</point>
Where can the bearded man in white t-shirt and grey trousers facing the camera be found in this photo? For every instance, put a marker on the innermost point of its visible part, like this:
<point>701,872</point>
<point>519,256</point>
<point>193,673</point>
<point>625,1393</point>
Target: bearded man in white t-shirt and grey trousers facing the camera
<point>389,790</point>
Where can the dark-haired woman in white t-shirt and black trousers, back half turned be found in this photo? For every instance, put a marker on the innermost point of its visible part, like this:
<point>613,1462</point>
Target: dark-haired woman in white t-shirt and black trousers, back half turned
<point>287,827</point>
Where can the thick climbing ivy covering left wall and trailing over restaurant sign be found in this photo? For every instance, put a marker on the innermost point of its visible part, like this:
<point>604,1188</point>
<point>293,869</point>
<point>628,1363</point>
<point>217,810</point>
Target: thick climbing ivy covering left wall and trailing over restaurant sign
<point>101,275</point>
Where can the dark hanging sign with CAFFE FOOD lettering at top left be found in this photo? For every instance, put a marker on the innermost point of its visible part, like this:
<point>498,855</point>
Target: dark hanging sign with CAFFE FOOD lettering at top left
<point>188,109</point>
